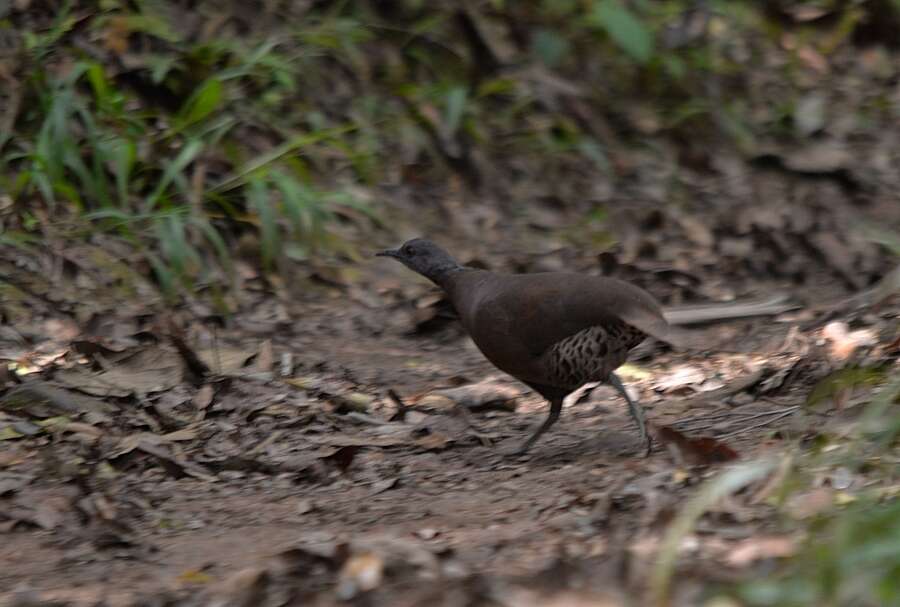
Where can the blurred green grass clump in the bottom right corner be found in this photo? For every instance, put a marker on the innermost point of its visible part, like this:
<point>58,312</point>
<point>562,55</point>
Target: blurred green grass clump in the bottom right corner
<point>852,554</point>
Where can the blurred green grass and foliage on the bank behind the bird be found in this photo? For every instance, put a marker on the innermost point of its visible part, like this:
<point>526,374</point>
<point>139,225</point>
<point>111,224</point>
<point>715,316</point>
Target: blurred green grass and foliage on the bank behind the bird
<point>198,130</point>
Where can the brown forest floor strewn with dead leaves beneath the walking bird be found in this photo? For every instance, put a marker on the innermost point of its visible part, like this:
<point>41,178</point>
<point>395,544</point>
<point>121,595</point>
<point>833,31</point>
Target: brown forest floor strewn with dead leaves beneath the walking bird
<point>157,458</point>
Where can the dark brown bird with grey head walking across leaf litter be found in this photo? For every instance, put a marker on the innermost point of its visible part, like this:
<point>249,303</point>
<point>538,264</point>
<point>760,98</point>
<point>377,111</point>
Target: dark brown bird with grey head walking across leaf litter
<point>553,331</point>
